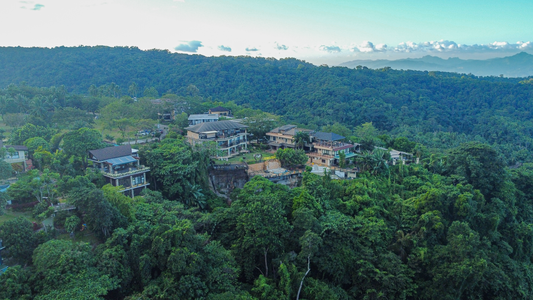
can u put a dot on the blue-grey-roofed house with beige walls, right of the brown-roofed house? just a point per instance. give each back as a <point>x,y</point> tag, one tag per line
<point>327,148</point>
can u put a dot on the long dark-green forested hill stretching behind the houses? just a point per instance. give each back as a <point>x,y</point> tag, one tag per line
<point>411,103</point>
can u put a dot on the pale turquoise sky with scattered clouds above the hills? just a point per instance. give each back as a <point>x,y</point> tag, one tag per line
<point>320,32</point>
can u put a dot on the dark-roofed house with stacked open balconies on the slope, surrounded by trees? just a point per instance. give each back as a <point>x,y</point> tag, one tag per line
<point>120,167</point>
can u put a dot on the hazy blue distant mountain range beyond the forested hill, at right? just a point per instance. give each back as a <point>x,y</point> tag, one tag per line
<point>519,65</point>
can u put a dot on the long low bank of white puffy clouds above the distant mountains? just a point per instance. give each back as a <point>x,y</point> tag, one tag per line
<point>443,46</point>
